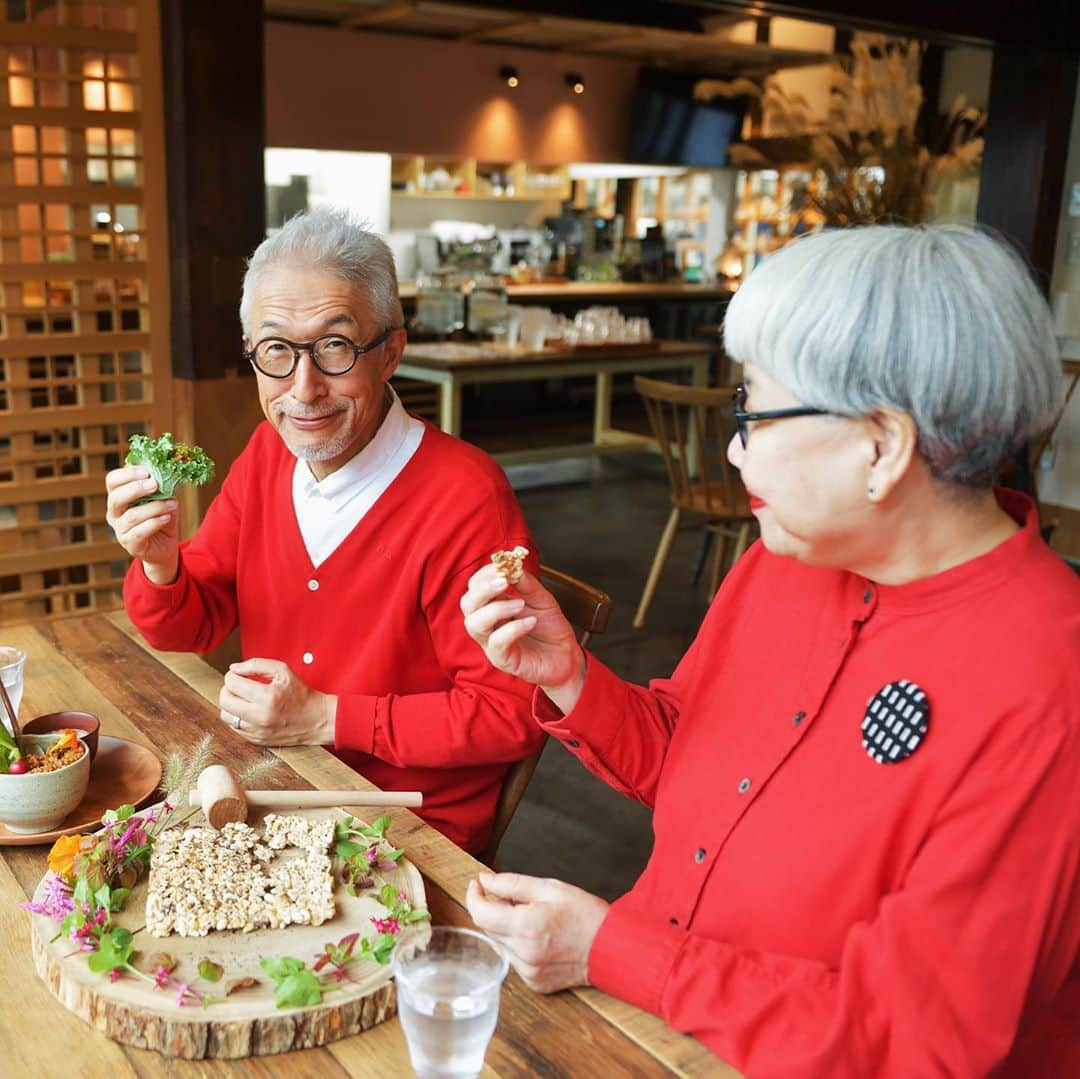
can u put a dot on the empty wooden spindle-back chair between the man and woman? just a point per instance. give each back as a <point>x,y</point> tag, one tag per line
<point>693,426</point>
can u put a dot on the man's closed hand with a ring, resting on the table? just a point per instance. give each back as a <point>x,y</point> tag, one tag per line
<point>275,707</point>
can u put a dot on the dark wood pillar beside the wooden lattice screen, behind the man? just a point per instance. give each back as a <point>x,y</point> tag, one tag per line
<point>214,142</point>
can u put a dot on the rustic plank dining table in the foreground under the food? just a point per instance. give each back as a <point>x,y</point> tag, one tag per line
<point>167,702</point>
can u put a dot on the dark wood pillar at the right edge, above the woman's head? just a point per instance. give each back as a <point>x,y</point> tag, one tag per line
<point>1028,138</point>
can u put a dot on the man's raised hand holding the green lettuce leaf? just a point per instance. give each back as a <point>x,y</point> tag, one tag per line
<point>150,532</point>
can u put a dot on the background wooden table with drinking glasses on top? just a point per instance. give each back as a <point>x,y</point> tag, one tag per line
<point>452,367</point>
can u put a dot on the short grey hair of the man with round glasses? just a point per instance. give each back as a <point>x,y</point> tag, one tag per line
<point>329,240</point>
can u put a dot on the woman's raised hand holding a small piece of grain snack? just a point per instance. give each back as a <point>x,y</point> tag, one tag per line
<point>526,635</point>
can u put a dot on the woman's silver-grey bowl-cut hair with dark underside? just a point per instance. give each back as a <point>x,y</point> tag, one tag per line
<point>943,322</point>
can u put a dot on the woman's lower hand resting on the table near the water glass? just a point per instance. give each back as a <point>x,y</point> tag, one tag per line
<point>547,927</point>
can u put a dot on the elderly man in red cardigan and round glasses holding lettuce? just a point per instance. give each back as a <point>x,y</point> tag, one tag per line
<point>340,544</point>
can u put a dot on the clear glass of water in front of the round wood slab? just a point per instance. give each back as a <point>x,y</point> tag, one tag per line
<point>449,1001</point>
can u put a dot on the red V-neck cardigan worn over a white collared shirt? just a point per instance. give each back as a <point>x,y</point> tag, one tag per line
<point>377,624</point>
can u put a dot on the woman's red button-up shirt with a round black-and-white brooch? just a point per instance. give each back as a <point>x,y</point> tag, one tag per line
<point>811,912</point>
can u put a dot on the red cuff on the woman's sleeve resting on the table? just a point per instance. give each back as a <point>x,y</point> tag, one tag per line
<point>654,947</point>
